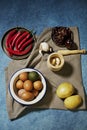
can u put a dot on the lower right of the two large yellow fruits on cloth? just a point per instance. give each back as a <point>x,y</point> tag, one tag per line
<point>73,102</point>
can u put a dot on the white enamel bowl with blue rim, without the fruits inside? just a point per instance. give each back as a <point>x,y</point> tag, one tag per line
<point>13,89</point>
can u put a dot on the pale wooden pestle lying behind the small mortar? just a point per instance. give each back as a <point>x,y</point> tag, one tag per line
<point>72,52</point>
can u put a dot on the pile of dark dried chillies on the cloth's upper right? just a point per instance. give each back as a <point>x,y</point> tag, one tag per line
<point>62,36</point>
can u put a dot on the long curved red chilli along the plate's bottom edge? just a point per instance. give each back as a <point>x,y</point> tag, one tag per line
<point>16,52</point>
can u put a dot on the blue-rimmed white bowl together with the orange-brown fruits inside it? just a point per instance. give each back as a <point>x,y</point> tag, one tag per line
<point>27,86</point>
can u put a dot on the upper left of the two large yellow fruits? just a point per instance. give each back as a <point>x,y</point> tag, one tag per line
<point>65,90</point>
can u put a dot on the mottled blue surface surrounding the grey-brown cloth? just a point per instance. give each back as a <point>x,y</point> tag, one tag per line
<point>37,15</point>
